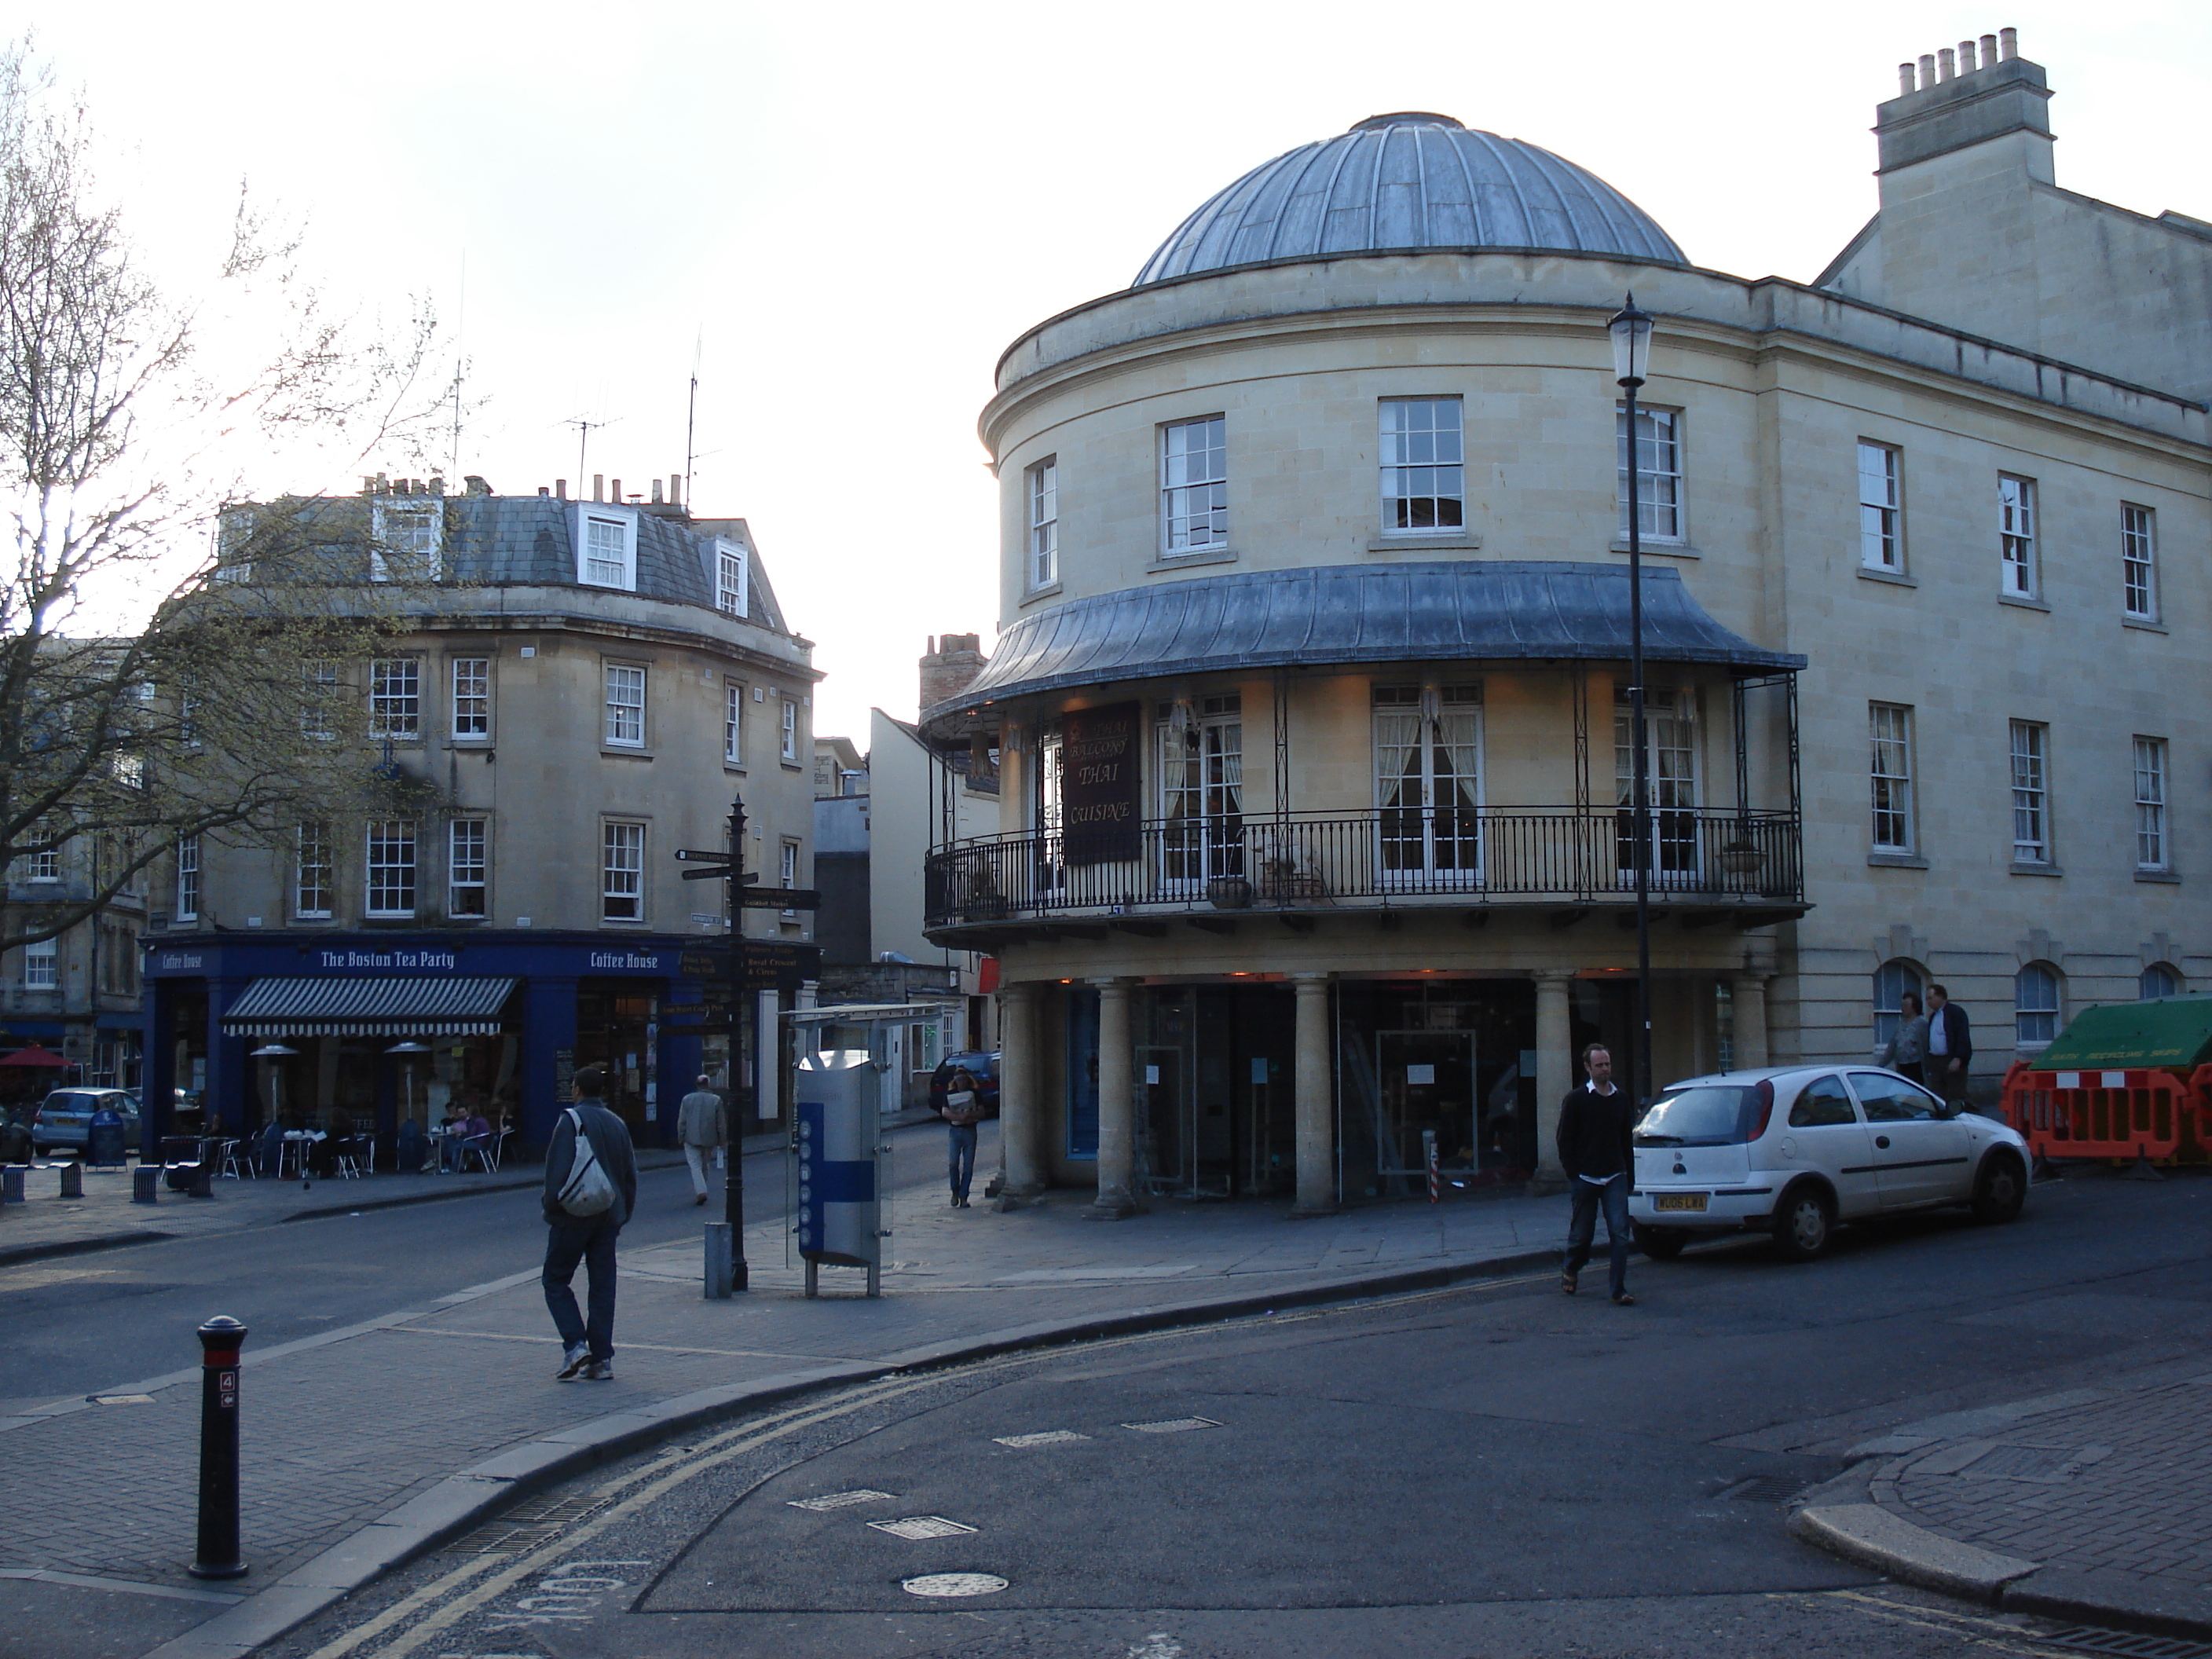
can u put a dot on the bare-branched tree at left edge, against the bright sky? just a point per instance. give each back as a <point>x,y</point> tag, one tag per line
<point>171,667</point>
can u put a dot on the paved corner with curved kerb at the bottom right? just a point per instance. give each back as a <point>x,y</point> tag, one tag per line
<point>2087,1505</point>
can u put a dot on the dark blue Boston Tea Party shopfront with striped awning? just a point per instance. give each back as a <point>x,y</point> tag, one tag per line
<point>357,1034</point>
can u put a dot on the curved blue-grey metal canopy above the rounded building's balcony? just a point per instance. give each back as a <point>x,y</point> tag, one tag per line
<point>1432,612</point>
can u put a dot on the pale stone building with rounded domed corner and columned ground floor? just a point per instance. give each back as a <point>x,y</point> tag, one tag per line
<point>1313,669</point>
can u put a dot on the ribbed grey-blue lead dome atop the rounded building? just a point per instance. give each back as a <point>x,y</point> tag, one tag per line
<point>1410,180</point>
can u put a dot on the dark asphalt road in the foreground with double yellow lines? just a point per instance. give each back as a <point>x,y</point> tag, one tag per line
<point>1481,1472</point>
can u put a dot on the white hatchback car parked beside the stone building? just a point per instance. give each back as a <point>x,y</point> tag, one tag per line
<point>1799,1149</point>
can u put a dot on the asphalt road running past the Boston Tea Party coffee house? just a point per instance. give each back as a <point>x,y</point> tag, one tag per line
<point>83,1335</point>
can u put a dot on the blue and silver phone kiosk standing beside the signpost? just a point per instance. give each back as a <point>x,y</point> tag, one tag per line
<point>837,1142</point>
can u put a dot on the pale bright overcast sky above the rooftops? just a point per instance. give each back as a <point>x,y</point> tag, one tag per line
<point>851,211</point>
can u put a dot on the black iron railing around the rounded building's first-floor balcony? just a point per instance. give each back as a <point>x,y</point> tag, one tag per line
<point>1317,859</point>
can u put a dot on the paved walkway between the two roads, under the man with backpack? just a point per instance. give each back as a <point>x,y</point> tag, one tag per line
<point>348,1426</point>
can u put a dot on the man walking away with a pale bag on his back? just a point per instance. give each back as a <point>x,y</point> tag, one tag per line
<point>592,1189</point>
